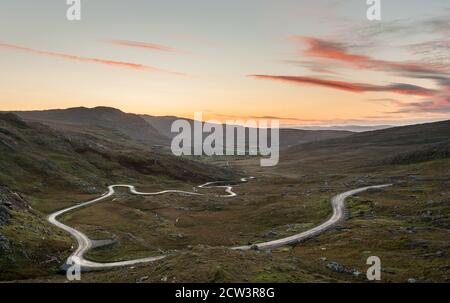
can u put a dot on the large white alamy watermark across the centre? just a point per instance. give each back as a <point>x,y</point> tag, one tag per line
<point>235,137</point>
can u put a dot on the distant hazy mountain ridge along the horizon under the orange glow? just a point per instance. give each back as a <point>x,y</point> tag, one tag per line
<point>146,129</point>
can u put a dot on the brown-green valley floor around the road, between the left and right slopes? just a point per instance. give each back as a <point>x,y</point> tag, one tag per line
<point>406,225</point>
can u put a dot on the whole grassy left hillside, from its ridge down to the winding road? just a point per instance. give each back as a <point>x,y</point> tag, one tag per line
<point>43,169</point>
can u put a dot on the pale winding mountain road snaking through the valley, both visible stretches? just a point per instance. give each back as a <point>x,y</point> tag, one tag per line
<point>85,244</point>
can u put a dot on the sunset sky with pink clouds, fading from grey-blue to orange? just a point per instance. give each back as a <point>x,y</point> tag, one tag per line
<point>303,62</point>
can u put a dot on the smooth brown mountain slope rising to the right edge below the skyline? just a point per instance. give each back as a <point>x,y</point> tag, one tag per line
<point>398,145</point>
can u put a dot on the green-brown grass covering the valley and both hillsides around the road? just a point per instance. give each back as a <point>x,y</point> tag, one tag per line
<point>406,225</point>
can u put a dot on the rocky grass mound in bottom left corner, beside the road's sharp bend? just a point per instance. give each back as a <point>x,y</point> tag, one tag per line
<point>29,246</point>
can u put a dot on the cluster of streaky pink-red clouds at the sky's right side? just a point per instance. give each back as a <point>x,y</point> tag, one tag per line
<point>323,56</point>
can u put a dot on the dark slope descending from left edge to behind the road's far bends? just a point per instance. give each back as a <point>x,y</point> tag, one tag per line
<point>36,157</point>
